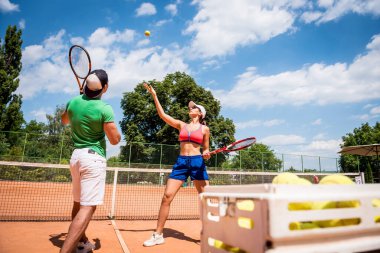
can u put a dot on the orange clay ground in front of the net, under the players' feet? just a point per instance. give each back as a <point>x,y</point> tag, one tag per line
<point>46,237</point>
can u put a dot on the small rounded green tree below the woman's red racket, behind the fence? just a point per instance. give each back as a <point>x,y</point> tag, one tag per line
<point>258,157</point>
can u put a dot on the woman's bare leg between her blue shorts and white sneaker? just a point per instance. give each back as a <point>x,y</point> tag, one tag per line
<point>172,187</point>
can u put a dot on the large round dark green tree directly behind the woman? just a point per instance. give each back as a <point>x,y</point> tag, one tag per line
<point>141,122</point>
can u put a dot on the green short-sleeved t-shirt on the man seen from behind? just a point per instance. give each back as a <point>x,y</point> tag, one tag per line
<point>86,118</point>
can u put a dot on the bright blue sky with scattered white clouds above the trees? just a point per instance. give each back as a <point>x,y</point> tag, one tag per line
<point>296,74</point>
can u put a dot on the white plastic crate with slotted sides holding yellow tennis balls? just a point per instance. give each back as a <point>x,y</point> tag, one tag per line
<point>270,219</point>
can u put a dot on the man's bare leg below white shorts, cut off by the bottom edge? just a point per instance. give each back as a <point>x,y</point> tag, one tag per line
<point>77,228</point>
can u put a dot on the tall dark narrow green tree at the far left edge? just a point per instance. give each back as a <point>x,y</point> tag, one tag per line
<point>10,67</point>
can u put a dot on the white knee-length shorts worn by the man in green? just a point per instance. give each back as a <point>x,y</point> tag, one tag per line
<point>88,173</point>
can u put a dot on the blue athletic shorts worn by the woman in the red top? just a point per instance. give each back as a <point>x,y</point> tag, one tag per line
<point>193,166</point>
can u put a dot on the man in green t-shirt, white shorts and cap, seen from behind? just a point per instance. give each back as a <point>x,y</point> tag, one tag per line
<point>91,120</point>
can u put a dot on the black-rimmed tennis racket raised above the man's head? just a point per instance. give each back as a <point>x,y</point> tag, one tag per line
<point>80,63</point>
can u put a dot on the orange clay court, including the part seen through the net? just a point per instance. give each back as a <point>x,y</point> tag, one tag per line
<point>135,209</point>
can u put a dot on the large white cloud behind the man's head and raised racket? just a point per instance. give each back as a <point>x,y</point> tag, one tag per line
<point>45,66</point>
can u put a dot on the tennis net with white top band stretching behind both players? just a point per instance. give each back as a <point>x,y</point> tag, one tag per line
<point>42,192</point>
